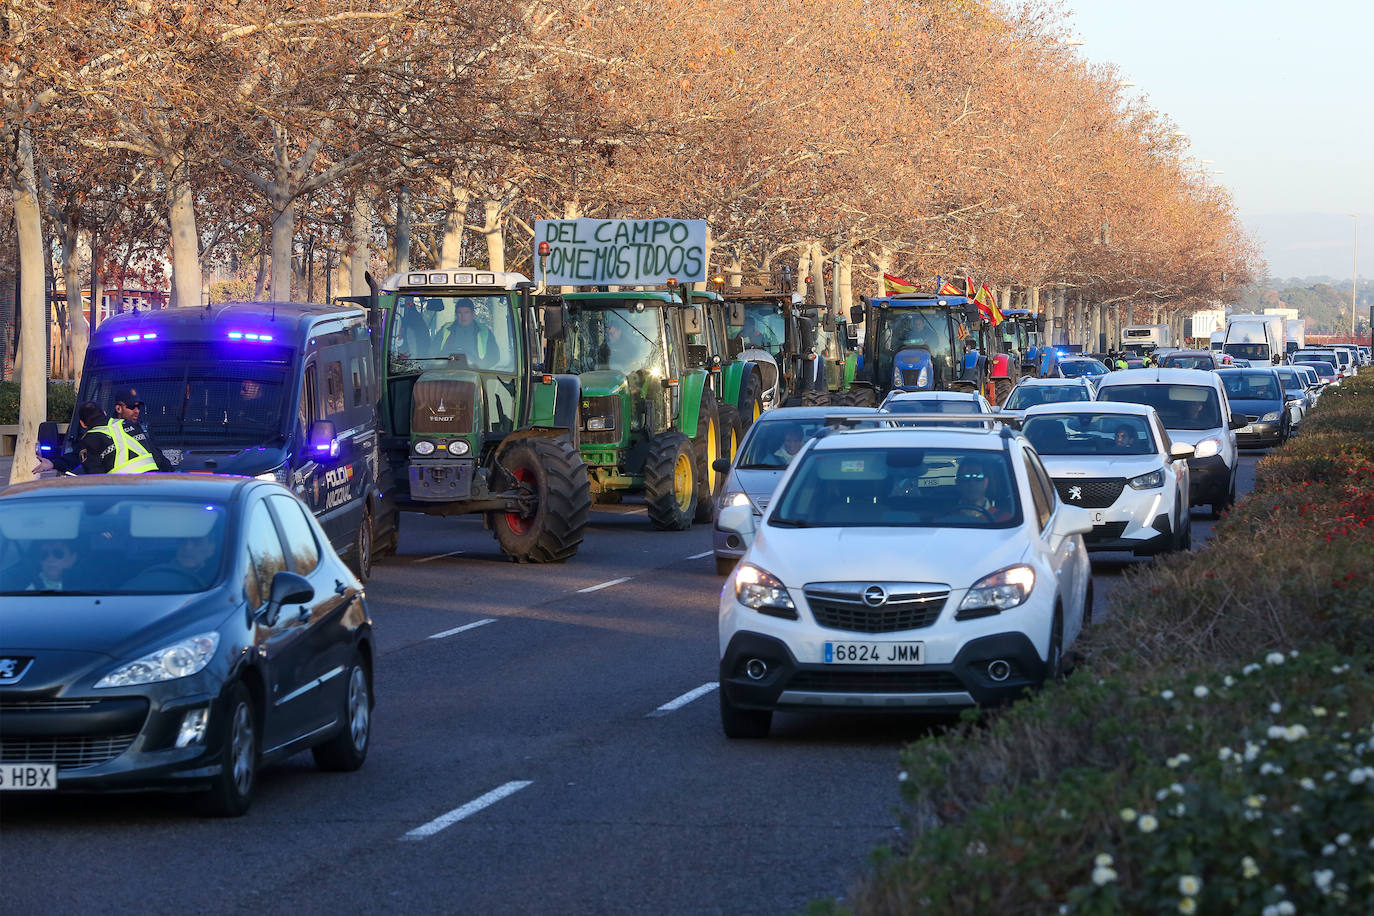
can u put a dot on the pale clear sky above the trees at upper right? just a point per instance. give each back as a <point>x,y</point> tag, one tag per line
<point>1277,94</point>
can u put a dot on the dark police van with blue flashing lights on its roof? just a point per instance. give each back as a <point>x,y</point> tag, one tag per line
<point>275,391</point>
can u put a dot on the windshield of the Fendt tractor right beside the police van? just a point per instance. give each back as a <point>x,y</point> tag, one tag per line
<point>476,330</point>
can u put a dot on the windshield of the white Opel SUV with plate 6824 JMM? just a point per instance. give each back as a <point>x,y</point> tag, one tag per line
<point>901,488</point>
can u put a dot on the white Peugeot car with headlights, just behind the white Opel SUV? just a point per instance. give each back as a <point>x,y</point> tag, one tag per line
<point>1118,462</point>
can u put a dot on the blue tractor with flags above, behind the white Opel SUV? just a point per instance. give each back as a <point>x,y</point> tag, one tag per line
<point>917,343</point>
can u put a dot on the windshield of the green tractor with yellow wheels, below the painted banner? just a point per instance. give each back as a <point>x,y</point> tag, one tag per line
<point>624,340</point>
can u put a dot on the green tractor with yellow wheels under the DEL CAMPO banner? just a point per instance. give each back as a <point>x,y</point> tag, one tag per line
<point>651,421</point>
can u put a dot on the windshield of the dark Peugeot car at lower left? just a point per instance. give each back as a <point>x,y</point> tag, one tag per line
<point>111,546</point>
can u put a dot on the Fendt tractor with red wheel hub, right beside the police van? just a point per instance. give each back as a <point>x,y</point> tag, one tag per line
<point>472,420</point>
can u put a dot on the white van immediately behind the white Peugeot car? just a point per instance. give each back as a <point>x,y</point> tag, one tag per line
<point>1195,410</point>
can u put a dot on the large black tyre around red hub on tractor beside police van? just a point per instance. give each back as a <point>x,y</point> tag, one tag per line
<point>553,472</point>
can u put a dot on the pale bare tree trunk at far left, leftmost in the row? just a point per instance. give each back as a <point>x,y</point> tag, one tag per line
<point>34,377</point>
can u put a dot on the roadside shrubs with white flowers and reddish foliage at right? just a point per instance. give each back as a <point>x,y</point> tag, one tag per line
<point>1214,751</point>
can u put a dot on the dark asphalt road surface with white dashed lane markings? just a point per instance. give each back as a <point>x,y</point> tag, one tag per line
<point>546,741</point>
